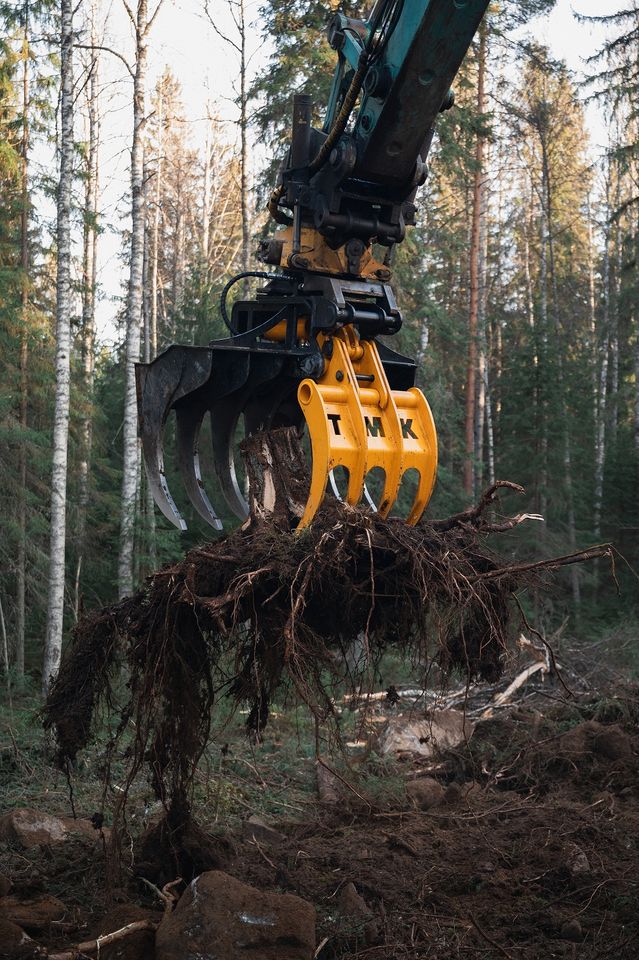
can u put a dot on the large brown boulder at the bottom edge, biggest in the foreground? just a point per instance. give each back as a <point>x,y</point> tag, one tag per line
<point>220,916</point>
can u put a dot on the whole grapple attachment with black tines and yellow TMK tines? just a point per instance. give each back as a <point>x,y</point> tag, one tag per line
<point>302,363</point>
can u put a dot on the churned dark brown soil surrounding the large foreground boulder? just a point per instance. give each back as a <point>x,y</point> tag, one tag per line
<point>531,851</point>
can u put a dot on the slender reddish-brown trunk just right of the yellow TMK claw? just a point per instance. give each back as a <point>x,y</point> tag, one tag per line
<point>471,374</point>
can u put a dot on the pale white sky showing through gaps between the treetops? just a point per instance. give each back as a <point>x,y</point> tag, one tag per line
<point>206,67</point>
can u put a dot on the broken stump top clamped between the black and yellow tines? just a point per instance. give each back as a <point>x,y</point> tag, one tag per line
<point>278,477</point>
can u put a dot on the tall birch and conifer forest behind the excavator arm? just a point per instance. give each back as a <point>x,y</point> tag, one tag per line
<point>519,289</point>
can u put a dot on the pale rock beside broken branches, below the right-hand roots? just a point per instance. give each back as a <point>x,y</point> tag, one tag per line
<point>439,730</point>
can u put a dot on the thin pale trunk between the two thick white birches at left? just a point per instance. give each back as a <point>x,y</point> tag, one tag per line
<point>89,278</point>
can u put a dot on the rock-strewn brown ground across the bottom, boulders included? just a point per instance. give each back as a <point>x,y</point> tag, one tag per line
<point>520,841</point>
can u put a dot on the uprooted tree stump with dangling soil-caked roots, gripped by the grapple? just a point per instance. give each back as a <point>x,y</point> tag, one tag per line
<point>266,606</point>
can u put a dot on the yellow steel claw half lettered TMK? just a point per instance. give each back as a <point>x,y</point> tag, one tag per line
<point>357,422</point>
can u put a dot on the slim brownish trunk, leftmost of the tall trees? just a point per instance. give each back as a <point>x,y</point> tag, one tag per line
<point>21,558</point>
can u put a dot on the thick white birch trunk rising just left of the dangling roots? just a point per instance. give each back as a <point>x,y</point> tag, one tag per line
<point>55,609</point>
